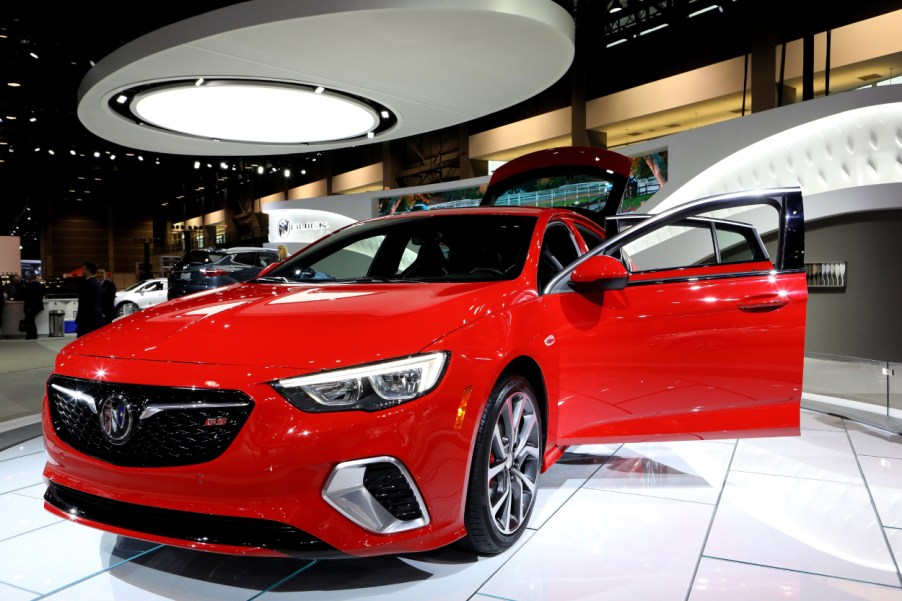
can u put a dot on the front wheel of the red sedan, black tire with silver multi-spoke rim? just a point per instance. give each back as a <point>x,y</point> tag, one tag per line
<point>504,476</point>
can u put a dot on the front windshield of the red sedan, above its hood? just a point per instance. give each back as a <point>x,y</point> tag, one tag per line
<point>442,248</point>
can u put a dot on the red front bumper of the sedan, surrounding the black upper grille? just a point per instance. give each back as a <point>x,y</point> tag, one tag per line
<point>276,470</point>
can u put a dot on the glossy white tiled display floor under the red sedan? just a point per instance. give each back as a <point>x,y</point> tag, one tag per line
<point>812,517</point>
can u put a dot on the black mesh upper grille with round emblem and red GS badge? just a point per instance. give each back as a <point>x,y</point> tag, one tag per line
<point>147,426</point>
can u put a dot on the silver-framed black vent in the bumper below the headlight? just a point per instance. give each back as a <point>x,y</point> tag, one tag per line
<point>377,494</point>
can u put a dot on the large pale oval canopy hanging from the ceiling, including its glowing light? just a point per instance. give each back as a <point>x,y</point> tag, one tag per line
<point>368,57</point>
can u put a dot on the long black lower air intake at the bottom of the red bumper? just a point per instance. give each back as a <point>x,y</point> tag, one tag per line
<point>188,526</point>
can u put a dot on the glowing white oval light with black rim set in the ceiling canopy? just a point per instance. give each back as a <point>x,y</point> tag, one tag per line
<point>256,112</point>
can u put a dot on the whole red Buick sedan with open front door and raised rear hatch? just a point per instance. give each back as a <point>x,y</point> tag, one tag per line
<point>402,383</point>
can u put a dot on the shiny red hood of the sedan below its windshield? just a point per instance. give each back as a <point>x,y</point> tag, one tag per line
<point>306,327</point>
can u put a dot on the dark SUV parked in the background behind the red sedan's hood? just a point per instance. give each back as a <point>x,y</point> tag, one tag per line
<point>203,269</point>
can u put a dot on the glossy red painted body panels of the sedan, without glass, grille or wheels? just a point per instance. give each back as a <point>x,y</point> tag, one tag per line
<point>699,352</point>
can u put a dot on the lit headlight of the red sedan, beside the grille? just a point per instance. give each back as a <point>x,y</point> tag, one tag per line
<point>367,387</point>
